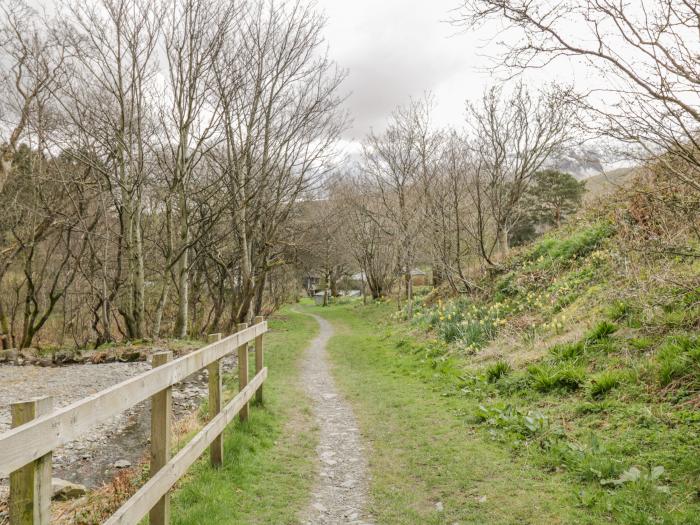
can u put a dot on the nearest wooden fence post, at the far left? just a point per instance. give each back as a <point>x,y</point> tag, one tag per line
<point>30,486</point>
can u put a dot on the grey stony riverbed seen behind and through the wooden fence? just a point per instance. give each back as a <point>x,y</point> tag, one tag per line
<point>120,442</point>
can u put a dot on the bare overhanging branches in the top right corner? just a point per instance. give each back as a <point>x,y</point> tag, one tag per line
<point>648,54</point>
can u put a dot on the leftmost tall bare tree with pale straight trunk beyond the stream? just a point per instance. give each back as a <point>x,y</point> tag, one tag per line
<point>110,112</point>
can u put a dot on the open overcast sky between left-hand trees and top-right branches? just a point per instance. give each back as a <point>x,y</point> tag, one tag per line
<point>396,49</point>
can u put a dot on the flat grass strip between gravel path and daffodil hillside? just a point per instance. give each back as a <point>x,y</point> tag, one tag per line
<point>428,463</point>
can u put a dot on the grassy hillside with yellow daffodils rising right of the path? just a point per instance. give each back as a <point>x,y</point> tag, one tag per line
<point>584,357</point>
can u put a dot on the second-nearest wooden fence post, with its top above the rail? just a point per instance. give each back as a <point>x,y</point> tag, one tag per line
<point>161,437</point>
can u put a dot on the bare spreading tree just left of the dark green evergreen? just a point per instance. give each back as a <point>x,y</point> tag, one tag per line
<point>511,138</point>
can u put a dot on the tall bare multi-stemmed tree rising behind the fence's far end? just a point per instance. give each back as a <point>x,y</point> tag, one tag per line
<point>279,96</point>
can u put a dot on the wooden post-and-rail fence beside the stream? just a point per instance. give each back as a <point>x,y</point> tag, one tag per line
<point>25,451</point>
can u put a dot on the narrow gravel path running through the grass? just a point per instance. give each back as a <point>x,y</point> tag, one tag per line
<point>341,492</point>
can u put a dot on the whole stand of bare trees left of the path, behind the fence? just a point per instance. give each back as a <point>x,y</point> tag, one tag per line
<point>153,158</point>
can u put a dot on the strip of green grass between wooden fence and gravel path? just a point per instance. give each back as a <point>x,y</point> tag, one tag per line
<point>269,464</point>
